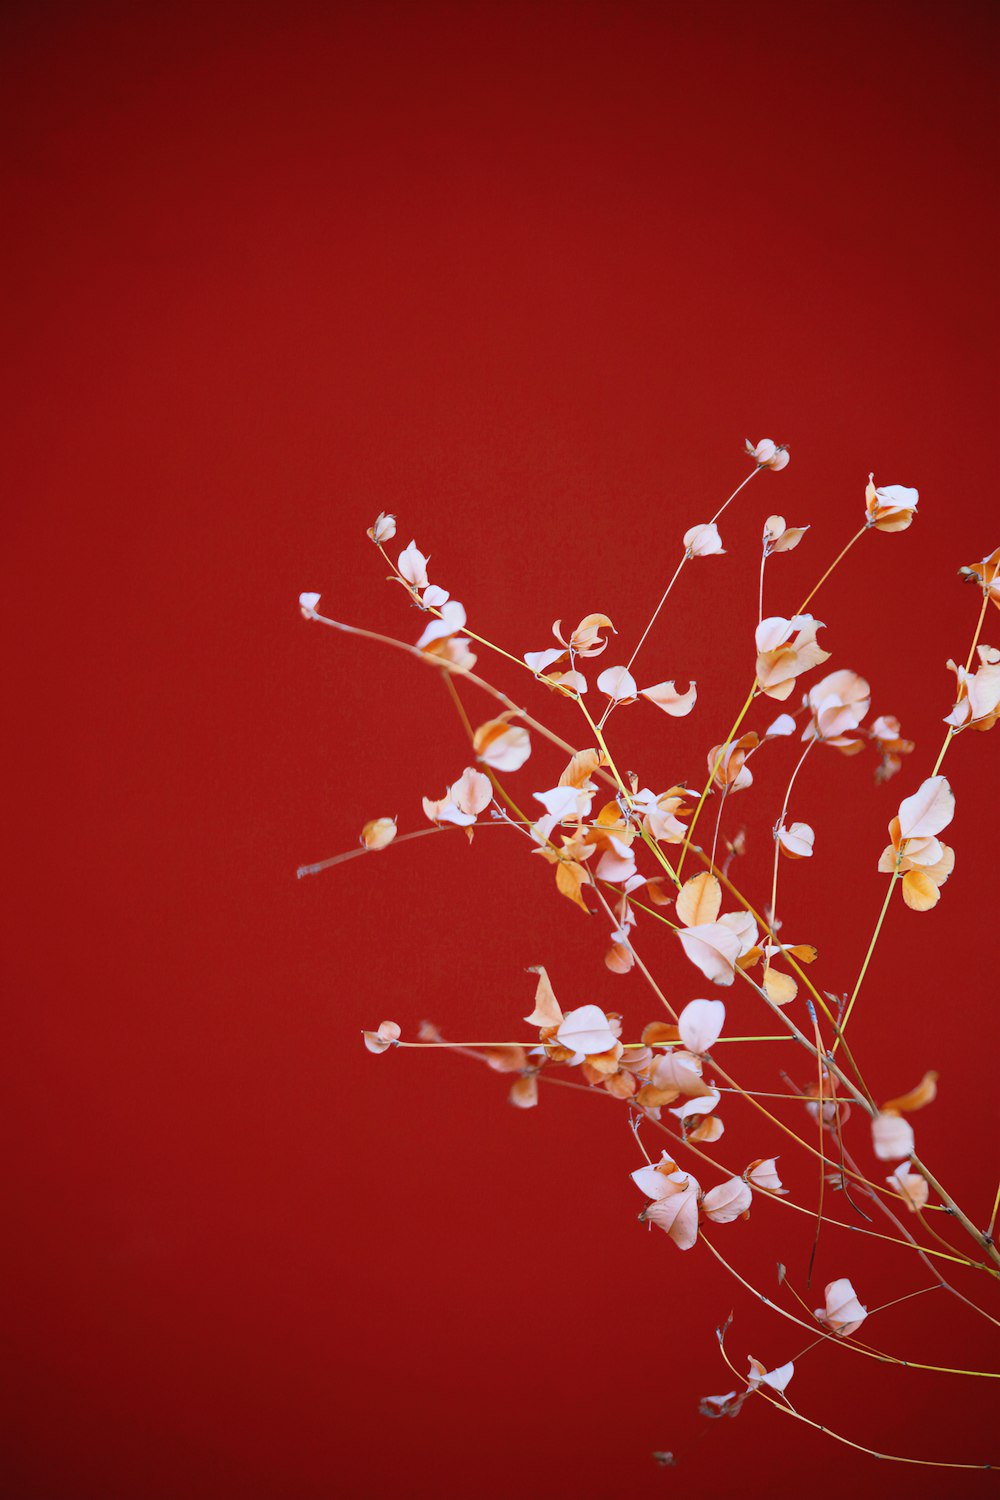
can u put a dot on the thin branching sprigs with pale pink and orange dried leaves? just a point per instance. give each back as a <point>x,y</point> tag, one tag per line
<point>597,856</point>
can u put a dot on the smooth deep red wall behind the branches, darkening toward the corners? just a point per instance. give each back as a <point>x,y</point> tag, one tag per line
<point>525,275</point>
